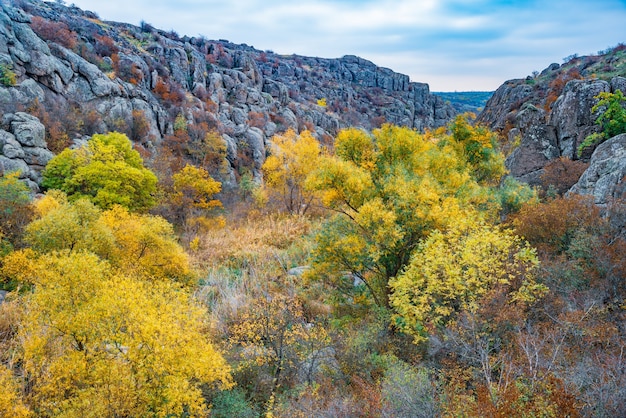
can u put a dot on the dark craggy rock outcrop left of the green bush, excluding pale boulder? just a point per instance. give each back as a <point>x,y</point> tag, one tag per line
<point>549,115</point>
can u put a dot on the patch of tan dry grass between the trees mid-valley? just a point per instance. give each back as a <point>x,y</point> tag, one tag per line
<point>247,259</point>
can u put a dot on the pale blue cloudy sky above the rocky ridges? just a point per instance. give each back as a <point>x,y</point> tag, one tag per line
<point>453,45</point>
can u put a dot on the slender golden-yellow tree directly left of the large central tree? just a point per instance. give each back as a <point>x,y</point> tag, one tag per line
<point>292,158</point>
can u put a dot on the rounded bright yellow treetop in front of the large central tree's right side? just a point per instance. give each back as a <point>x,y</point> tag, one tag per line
<point>452,270</point>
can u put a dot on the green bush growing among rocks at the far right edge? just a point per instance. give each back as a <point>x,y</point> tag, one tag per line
<point>611,118</point>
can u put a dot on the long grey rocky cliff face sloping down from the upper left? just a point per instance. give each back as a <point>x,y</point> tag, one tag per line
<point>79,75</point>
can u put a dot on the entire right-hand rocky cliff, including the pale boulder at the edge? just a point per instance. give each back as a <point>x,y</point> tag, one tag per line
<point>549,114</point>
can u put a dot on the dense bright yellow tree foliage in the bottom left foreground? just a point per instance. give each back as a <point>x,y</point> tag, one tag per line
<point>96,342</point>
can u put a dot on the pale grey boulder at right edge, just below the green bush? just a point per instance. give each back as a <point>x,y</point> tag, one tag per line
<point>605,178</point>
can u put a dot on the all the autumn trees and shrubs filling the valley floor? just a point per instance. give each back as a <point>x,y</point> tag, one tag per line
<point>391,273</point>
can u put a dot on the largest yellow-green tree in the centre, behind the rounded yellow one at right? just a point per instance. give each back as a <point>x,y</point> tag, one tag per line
<point>390,190</point>
